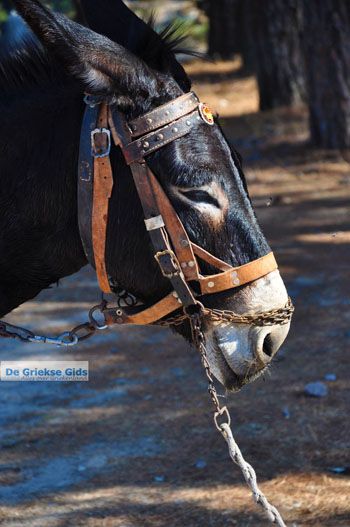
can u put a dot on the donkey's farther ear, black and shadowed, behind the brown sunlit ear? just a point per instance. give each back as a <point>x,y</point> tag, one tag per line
<point>116,21</point>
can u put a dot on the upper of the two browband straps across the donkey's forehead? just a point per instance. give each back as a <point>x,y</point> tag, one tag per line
<point>165,114</point>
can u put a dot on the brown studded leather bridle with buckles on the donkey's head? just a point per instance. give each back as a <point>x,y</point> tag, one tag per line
<point>176,255</point>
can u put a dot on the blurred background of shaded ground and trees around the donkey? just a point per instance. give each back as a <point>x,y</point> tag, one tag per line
<point>135,447</point>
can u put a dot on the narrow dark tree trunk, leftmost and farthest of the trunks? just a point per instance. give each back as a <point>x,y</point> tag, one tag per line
<point>223,40</point>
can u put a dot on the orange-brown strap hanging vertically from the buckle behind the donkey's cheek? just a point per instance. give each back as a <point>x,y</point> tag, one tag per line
<point>103,185</point>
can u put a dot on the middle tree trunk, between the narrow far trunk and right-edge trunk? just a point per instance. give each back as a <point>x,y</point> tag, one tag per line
<point>276,27</point>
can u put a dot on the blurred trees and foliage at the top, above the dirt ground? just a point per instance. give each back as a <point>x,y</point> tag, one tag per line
<point>298,50</point>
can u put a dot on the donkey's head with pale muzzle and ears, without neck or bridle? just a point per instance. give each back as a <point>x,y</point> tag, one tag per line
<point>201,175</point>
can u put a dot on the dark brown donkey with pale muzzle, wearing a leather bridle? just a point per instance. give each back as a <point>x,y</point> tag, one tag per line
<point>42,87</point>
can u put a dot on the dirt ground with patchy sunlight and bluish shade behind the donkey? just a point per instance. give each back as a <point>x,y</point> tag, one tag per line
<point>136,446</point>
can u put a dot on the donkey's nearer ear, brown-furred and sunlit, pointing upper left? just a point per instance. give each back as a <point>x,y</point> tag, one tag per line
<point>102,66</point>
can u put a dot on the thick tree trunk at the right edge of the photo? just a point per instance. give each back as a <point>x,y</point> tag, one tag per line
<point>327,52</point>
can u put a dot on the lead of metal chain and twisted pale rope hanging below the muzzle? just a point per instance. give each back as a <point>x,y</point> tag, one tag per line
<point>222,420</point>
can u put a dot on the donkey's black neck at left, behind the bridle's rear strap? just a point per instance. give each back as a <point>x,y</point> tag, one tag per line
<point>39,235</point>
